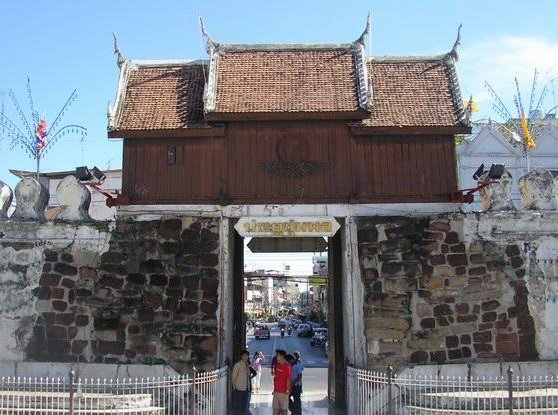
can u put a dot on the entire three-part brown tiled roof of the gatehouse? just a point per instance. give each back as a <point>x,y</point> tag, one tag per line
<point>280,81</point>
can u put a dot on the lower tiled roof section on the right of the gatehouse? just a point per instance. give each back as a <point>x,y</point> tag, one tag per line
<point>413,92</point>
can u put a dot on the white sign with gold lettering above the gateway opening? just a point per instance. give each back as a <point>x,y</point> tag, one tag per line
<point>285,227</point>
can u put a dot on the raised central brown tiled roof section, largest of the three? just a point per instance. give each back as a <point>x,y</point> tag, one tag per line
<point>287,80</point>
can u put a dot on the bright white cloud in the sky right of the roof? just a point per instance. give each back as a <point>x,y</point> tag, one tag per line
<point>498,61</point>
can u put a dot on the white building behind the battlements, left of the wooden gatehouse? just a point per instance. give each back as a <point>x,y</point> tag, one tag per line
<point>98,209</point>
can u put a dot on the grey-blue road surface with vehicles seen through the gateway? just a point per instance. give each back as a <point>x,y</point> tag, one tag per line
<point>311,356</point>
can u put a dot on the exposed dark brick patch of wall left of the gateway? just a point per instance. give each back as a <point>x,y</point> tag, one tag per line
<point>152,297</point>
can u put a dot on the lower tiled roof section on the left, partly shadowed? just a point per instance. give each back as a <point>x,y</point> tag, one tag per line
<point>162,97</point>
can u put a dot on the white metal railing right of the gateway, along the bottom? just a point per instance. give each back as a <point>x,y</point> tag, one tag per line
<point>370,392</point>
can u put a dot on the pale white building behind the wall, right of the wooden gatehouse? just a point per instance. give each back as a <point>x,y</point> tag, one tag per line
<point>490,146</point>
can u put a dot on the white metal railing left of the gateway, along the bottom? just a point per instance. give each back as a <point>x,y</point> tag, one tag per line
<point>204,393</point>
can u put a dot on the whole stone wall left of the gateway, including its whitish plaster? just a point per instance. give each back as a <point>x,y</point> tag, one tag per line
<point>138,292</point>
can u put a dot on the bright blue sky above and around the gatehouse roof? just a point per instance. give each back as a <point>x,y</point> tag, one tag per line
<point>63,45</point>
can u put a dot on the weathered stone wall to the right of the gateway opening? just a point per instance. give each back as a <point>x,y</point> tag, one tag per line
<point>435,293</point>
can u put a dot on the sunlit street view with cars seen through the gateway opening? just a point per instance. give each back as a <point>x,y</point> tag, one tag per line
<point>286,306</point>
